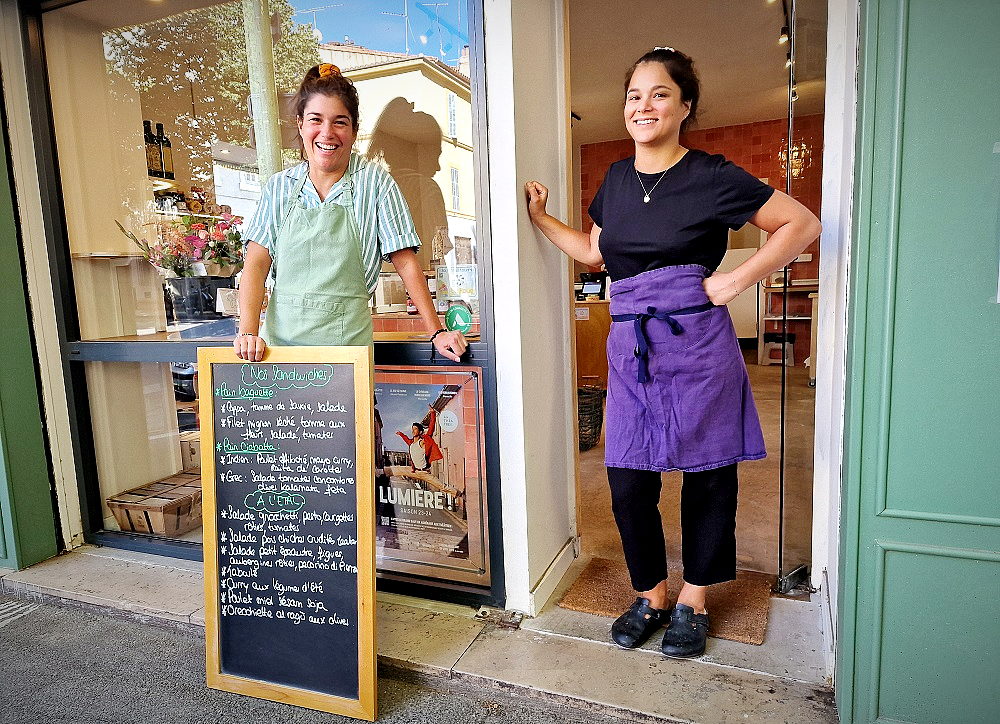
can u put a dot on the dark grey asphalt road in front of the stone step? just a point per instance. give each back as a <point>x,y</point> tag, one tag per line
<point>60,664</point>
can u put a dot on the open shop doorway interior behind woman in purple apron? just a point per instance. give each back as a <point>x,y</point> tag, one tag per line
<point>762,69</point>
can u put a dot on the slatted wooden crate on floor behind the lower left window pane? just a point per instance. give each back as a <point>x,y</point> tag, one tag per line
<point>171,506</point>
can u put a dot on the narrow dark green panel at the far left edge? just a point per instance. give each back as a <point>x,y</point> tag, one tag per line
<point>28,527</point>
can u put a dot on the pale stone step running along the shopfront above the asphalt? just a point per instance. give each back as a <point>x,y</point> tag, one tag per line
<point>561,656</point>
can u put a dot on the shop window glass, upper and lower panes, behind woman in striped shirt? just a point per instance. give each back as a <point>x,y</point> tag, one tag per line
<point>156,150</point>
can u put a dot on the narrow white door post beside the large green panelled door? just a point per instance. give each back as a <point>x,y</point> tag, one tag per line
<point>835,243</point>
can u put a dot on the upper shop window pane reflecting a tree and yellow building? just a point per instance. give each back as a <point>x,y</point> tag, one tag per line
<point>177,90</point>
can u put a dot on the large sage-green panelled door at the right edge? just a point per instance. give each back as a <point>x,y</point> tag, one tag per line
<point>920,567</point>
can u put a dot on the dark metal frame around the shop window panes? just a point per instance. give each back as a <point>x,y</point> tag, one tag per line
<point>77,351</point>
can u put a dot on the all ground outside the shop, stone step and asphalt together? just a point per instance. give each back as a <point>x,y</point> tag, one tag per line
<point>102,635</point>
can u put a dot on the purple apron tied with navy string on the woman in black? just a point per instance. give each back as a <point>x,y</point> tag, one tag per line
<point>678,393</point>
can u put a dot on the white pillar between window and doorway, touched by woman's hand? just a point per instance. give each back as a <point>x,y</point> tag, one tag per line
<point>526,70</point>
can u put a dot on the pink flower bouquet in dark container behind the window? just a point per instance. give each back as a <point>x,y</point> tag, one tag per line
<point>196,257</point>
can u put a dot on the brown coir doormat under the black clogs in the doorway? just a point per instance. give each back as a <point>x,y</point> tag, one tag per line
<point>737,609</point>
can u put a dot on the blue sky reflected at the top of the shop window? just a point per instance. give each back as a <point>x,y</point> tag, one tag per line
<point>432,27</point>
